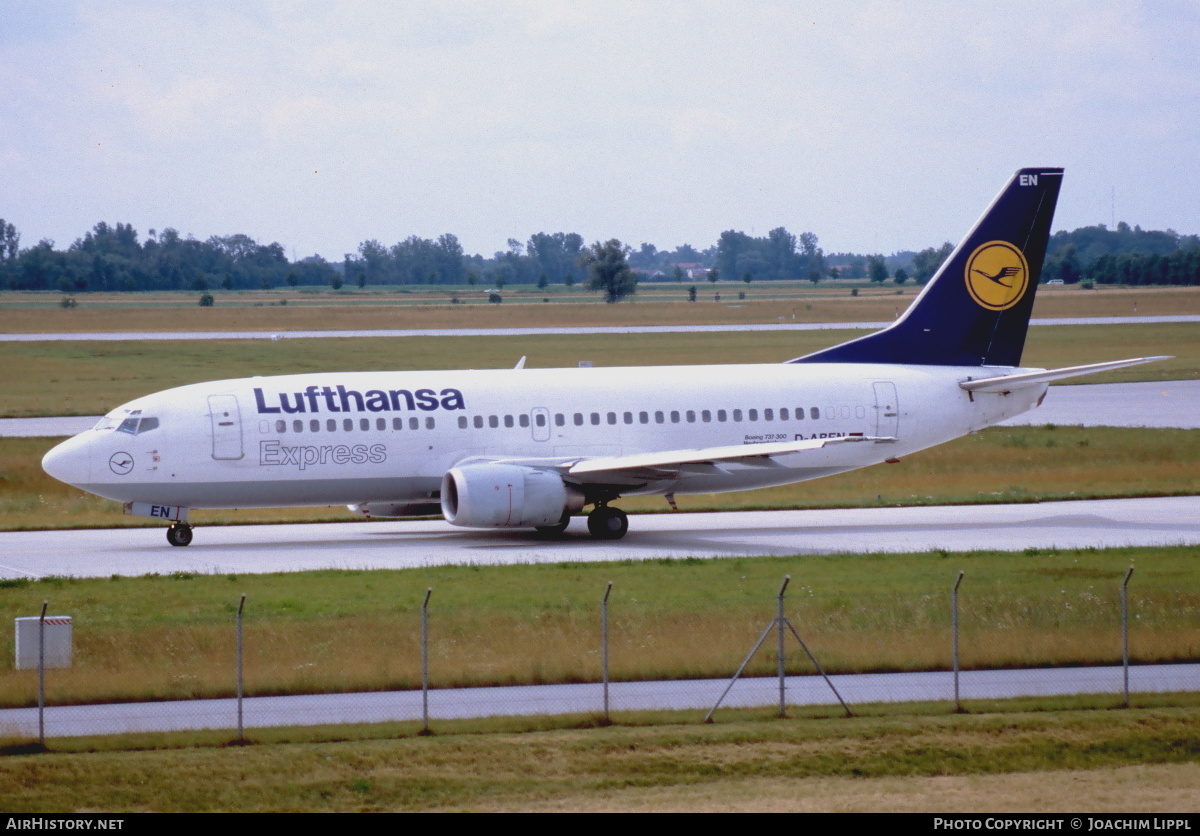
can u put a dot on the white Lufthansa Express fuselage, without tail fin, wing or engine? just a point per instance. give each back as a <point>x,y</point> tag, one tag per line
<point>389,437</point>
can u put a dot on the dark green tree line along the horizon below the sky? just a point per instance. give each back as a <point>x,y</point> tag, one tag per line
<point>113,258</point>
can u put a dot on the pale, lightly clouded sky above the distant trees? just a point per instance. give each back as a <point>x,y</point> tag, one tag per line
<point>879,127</point>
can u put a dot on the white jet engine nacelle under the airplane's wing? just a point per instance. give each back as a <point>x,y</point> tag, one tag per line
<point>506,496</point>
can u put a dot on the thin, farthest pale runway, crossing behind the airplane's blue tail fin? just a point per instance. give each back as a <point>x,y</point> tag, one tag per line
<point>538,332</point>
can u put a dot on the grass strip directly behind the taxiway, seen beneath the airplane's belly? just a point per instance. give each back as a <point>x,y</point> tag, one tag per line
<point>1000,465</point>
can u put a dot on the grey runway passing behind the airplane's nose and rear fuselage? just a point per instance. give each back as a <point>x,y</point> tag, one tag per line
<point>1169,404</point>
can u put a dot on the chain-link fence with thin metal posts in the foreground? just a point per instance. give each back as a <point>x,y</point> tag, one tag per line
<point>610,655</point>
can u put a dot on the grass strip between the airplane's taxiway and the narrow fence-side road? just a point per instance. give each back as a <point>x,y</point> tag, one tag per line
<point>172,637</point>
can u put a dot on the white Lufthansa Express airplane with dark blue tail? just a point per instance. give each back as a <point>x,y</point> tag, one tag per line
<point>530,449</point>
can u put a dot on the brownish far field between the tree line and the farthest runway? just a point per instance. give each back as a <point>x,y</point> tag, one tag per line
<point>524,308</point>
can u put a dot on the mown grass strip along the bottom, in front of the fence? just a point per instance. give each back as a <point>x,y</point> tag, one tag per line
<point>1004,761</point>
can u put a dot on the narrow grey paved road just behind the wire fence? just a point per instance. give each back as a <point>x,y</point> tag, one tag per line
<point>542,700</point>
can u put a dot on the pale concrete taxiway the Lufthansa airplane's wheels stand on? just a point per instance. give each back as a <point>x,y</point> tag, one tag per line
<point>403,545</point>
